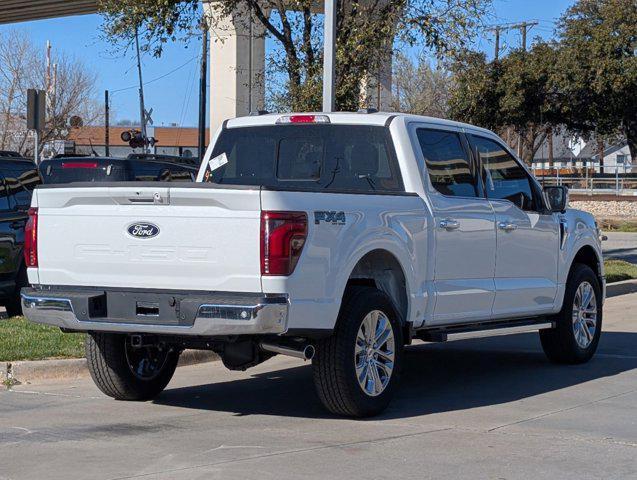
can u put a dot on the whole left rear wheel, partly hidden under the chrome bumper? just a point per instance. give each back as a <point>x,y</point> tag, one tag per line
<point>125,372</point>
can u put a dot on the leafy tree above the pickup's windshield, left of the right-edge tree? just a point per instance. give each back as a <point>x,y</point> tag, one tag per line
<point>514,92</point>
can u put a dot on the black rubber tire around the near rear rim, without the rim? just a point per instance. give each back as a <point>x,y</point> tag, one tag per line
<point>334,366</point>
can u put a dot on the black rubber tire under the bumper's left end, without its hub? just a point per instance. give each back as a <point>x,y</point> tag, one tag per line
<point>109,367</point>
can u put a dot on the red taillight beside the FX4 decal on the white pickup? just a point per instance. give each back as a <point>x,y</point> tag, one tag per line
<point>283,235</point>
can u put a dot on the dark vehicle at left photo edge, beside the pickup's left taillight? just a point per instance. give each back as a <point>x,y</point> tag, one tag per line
<point>18,178</point>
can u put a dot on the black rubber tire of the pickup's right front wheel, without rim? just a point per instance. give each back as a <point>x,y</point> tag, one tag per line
<point>560,343</point>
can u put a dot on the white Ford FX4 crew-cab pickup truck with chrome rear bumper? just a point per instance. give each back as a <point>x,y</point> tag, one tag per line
<point>332,237</point>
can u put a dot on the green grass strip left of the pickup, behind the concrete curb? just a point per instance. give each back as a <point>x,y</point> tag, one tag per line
<point>22,340</point>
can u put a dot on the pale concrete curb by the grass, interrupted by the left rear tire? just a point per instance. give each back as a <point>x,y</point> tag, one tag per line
<point>28,371</point>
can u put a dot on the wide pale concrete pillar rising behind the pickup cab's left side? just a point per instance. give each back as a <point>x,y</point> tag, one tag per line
<point>231,92</point>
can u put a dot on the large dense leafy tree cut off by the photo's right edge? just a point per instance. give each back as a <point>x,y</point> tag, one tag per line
<point>597,78</point>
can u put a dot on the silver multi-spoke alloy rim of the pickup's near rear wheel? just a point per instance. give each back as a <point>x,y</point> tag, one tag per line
<point>374,353</point>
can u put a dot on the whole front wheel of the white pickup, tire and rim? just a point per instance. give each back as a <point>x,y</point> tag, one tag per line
<point>579,323</point>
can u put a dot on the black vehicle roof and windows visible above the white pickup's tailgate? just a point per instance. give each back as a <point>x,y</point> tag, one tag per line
<point>106,169</point>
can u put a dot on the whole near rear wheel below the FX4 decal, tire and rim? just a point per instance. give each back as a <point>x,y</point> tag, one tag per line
<point>356,369</point>
